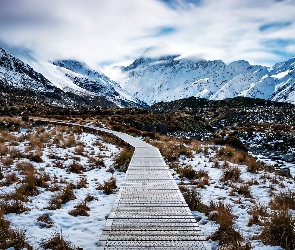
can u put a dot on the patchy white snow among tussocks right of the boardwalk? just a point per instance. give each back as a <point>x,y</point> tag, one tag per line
<point>220,191</point>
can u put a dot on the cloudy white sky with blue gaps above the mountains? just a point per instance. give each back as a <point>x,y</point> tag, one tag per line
<point>105,33</point>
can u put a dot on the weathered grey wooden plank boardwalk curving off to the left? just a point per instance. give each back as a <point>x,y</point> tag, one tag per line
<point>149,211</point>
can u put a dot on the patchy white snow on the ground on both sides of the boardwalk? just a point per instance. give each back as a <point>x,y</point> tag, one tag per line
<point>84,231</point>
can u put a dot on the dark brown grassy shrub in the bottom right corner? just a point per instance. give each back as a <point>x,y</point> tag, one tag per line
<point>280,230</point>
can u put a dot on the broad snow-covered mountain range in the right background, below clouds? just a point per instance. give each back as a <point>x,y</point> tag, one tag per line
<point>171,77</point>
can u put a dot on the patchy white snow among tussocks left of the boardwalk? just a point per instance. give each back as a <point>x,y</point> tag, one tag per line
<point>81,231</point>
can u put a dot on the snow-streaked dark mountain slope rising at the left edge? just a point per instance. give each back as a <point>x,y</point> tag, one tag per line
<point>68,82</point>
